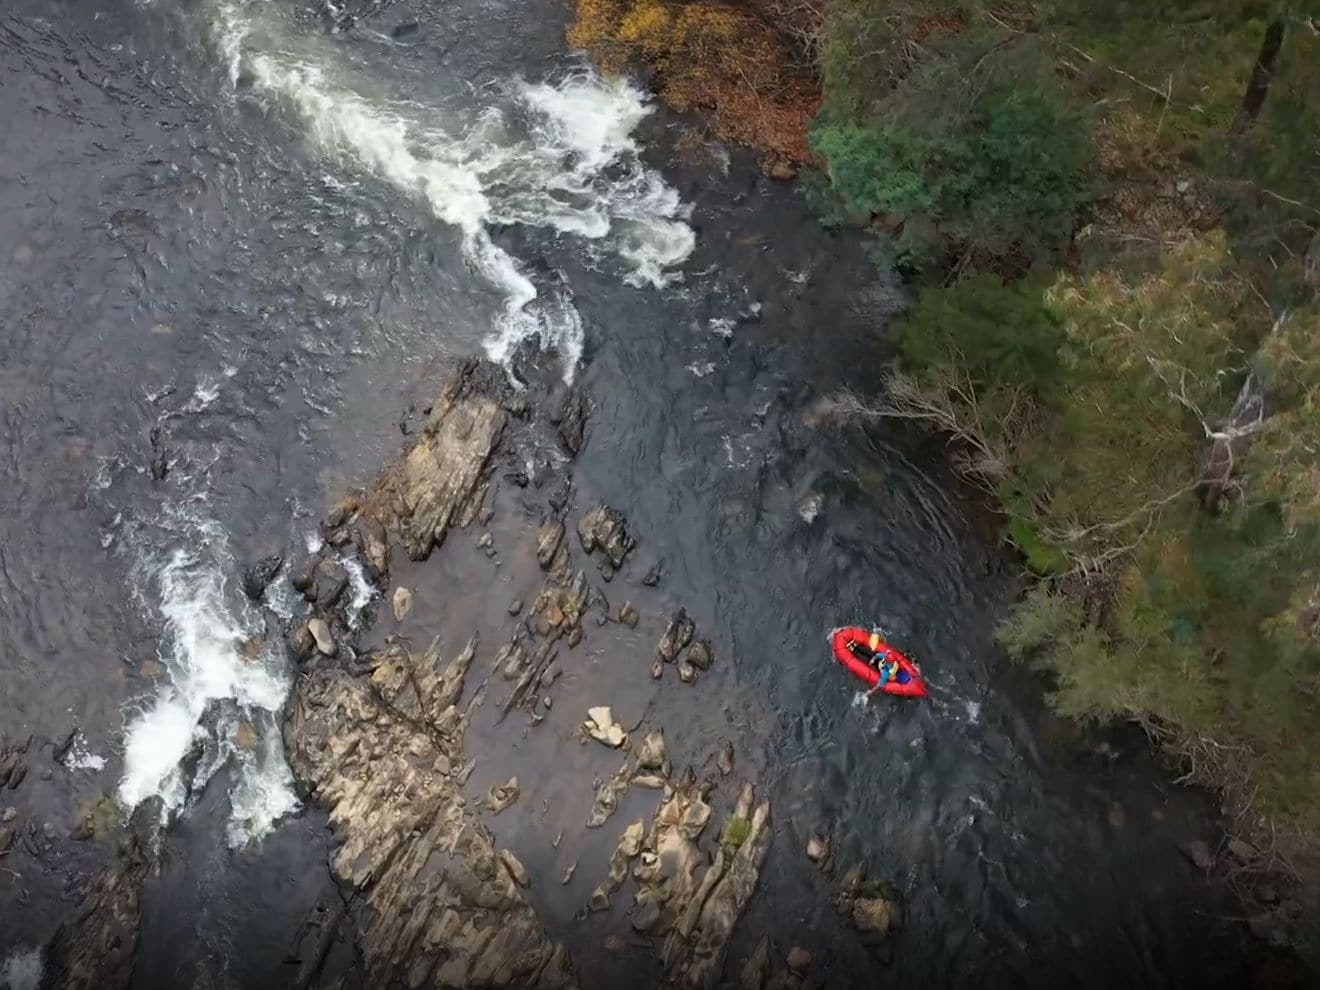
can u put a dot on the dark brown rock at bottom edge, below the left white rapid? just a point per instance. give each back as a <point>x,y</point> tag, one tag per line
<point>94,948</point>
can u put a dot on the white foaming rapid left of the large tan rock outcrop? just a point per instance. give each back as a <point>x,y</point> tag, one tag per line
<point>205,625</point>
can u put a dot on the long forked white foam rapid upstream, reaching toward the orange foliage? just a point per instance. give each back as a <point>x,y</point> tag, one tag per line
<point>554,156</point>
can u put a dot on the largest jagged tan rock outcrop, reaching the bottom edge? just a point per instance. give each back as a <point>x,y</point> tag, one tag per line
<point>382,754</point>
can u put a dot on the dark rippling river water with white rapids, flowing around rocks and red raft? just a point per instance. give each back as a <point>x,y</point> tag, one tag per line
<point>238,240</point>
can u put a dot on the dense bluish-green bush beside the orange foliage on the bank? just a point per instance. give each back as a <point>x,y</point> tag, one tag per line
<point>1003,183</point>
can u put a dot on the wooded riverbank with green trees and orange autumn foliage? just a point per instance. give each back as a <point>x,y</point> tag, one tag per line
<point>1107,226</point>
